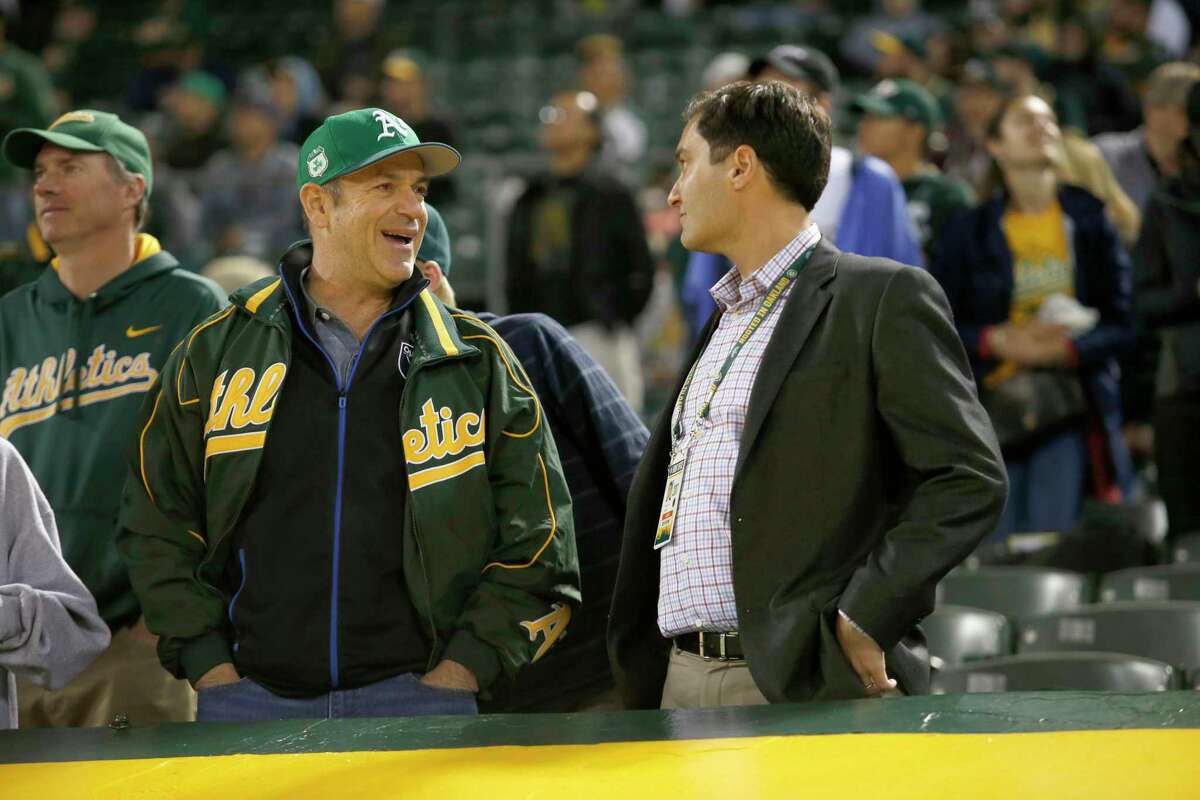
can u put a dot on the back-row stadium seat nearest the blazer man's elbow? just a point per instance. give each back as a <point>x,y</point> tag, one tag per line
<point>1015,592</point>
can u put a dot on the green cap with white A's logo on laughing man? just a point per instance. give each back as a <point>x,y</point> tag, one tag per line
<point>346,143</point>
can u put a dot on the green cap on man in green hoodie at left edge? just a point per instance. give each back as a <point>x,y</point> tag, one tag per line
<point>88,131</point>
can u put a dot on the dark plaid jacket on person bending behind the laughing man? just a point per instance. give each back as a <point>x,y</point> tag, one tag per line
<point>601,442</point>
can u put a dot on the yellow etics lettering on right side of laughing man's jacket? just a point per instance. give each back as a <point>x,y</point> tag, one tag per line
<point>443,435</point>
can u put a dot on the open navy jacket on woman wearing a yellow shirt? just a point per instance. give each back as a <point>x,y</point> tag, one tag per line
<point>975,267</point>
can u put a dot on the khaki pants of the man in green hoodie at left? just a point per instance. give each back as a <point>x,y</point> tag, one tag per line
<point>125,679</point>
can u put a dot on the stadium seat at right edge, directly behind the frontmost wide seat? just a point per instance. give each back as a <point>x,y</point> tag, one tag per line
<point>1167,631</point>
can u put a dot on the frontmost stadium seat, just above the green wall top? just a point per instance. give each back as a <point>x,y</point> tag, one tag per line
<point>1090,672</point>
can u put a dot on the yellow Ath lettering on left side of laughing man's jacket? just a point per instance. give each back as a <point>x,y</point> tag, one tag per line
<point>244,400</point>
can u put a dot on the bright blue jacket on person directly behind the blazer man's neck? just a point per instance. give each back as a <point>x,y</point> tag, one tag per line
<point>875,222</point>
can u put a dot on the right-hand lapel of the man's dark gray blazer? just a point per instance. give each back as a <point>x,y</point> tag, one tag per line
<point>800,315</point>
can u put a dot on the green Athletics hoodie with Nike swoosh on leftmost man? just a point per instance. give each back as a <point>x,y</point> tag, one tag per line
<point>75,432</point>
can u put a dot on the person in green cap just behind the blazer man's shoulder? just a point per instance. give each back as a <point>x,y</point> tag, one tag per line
<point>898,119</point>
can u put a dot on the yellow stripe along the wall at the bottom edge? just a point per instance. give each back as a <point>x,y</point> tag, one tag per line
<point>1094,765</point>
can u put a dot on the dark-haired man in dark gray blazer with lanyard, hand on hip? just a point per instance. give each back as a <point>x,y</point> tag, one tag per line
<point>826,461</point>
